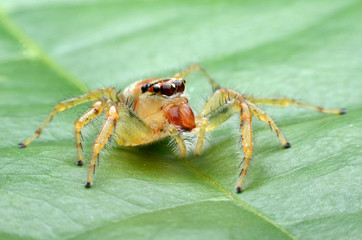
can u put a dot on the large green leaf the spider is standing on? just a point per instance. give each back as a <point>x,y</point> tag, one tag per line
<point>307,50</point>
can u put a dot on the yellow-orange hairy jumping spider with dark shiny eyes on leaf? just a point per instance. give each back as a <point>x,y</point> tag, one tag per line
<point>156,108</point>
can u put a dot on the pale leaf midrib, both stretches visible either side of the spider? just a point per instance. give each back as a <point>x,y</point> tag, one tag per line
<point>16,32</point>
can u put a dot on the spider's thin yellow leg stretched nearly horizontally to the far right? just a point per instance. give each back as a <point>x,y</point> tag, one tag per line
<point>283,102</point>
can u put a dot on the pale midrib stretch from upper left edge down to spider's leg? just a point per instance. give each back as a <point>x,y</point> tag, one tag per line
<point>38,53</point>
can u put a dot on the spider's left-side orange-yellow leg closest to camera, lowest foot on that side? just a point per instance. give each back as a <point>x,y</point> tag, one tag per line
<point>101,140</point>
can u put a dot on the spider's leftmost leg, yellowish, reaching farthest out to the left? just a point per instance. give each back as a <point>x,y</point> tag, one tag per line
<point>64,105</point>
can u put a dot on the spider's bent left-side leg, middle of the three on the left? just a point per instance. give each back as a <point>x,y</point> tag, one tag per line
<point>96,109</point>
